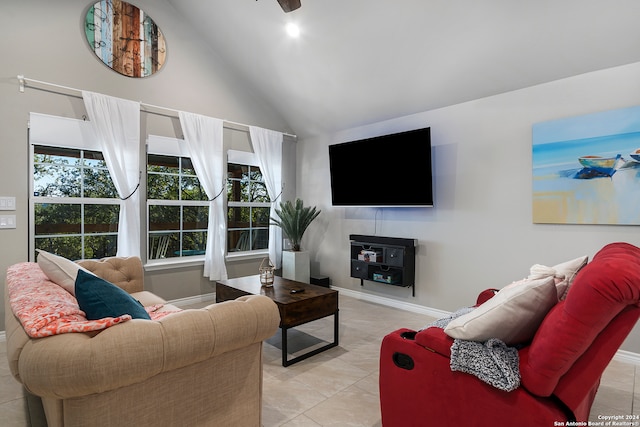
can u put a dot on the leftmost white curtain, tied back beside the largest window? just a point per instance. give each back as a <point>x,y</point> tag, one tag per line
<point>116,123</point>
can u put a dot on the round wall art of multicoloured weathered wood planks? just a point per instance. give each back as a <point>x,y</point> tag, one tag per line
<point>125,38</point>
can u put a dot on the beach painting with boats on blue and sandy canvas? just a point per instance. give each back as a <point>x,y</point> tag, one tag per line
<point>586,169</point>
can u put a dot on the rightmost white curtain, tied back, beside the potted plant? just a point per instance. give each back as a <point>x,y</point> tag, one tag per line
<point>267,145</point>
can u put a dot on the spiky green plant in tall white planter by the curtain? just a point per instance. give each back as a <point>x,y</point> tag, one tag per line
<point>294,219</point>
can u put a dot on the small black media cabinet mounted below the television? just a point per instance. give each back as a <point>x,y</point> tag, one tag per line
<point>388,260</point>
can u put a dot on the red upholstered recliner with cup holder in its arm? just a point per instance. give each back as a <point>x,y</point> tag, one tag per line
<point>560,368</point>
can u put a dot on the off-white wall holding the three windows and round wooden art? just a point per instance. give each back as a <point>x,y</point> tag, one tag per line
<point>44,40</point>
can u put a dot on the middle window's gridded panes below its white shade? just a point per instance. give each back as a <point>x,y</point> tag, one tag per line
<point>178,208</point>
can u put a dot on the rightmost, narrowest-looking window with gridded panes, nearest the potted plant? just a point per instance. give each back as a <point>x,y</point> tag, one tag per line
<point>248,208</point>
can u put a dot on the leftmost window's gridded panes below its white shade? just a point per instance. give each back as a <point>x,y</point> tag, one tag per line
<point>75,204</point>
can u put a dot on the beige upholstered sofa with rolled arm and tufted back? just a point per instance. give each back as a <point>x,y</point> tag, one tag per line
<point>200,367</point>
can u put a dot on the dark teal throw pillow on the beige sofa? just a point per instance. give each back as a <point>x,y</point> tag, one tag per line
<point>99,299</point>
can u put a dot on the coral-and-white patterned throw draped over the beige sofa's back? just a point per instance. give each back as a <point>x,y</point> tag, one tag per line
<point>46,309</point>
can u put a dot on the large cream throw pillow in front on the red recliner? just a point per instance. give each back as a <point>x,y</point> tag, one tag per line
<point>512,315</point>
